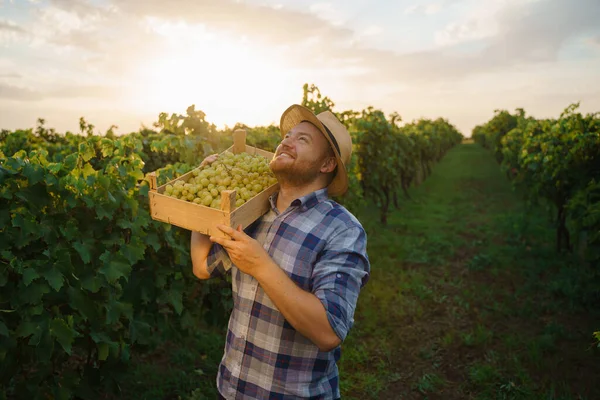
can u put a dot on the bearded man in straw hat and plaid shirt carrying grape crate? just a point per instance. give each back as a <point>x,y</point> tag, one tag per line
<point>297,271</point>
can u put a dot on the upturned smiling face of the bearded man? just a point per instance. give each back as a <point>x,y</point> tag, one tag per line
<point>301,155</point>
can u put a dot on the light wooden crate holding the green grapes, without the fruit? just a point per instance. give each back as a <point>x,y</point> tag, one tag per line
<point>196,217</point>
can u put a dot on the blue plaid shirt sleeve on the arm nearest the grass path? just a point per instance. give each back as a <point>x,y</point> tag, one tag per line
<point>342,270</point>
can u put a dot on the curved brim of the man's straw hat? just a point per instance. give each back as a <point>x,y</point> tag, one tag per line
<point>296,114</point>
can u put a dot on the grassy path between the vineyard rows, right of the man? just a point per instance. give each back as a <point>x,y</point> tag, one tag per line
<point>468,299</point>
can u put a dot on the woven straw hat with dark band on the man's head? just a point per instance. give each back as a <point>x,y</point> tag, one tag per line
<point>334,131</point>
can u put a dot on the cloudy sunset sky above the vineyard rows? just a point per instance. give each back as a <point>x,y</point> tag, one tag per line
<point>122,62</point>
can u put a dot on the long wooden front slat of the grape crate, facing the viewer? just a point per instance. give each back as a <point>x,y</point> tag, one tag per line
<point>187,215</point>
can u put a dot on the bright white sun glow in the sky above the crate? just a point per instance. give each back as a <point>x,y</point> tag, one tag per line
<point>227,77</point>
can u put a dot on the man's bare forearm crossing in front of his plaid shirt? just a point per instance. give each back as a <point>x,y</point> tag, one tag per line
<point>302,309</point>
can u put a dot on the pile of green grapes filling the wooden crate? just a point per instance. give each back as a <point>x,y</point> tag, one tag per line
<point>247,174</point>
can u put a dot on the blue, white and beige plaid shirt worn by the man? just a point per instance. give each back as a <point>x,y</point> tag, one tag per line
<point>322,248</point>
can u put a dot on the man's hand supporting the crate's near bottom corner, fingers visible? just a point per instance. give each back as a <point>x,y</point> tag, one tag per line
<point>246,253</point>
